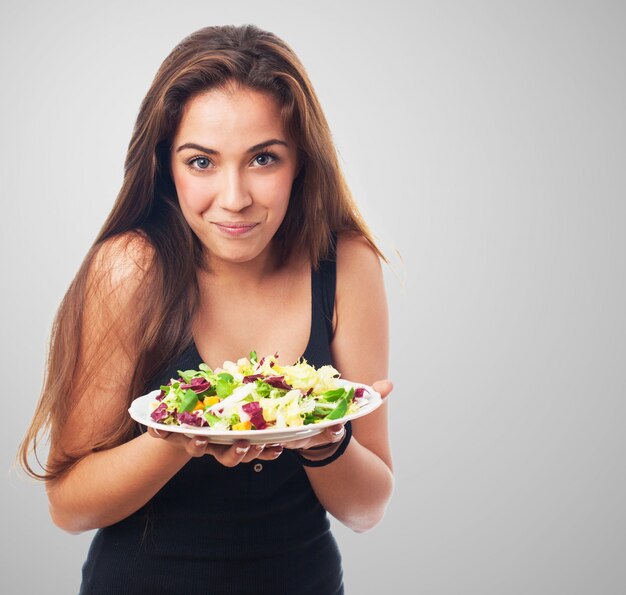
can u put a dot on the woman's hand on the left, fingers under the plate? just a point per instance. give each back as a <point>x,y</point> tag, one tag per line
<point>240,451</point>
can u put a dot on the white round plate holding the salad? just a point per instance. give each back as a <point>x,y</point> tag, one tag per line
<point>141,408</point>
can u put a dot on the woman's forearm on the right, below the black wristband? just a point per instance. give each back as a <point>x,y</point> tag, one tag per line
<point>355,488</point>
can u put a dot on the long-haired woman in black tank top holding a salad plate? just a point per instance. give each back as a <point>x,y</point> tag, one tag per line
<point>233,231</point>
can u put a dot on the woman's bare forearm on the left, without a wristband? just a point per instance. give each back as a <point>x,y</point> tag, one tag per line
<point>107,486</point>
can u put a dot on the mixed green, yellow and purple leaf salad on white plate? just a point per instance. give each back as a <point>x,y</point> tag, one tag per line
<point>256,394</point>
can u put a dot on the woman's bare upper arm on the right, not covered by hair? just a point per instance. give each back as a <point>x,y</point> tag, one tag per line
<point>360,345</point>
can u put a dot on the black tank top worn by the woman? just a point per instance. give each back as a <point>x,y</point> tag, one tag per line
<point>254,529</point>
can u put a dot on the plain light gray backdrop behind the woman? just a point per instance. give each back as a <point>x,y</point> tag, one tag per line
<point>485,141</point>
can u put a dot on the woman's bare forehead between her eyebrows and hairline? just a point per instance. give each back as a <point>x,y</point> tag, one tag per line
<point>229,118</point>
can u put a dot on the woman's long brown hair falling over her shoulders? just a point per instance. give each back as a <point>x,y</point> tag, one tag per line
<point>320,206</point>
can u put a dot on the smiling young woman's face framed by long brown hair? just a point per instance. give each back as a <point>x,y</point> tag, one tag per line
<point>233,166</point>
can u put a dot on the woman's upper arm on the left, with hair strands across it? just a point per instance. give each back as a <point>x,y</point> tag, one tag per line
<point>109,313</point>
